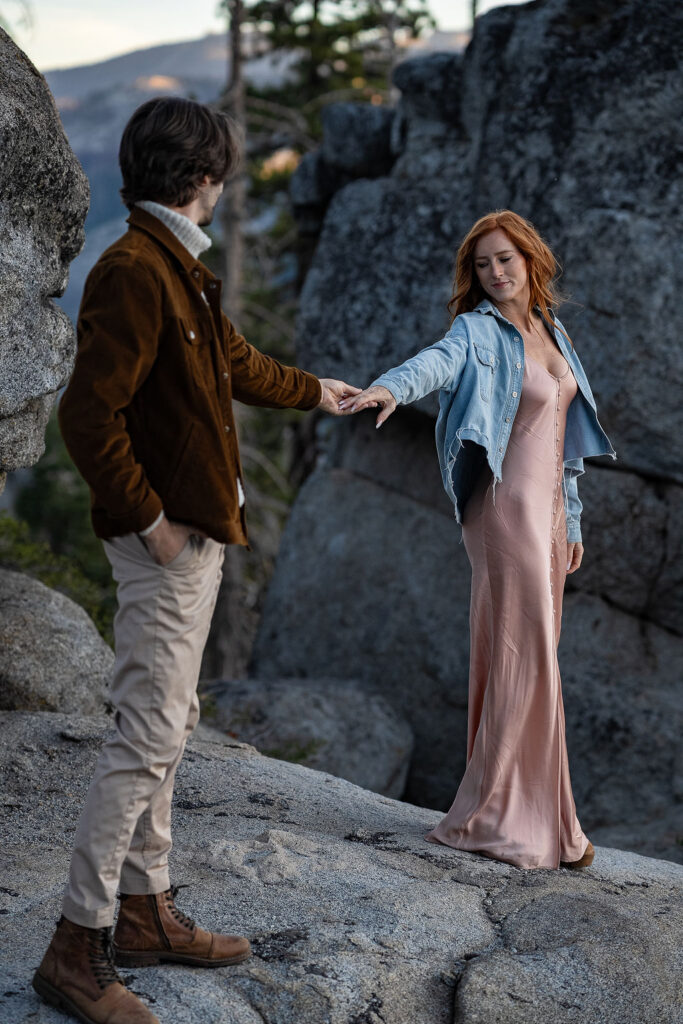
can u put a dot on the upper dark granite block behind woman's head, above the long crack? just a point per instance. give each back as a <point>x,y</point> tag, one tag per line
<point>591,164</point>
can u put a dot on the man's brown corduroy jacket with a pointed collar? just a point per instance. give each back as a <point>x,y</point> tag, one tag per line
<point>148,414</point>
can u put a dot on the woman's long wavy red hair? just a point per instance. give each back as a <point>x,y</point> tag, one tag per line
<point>542,267</point>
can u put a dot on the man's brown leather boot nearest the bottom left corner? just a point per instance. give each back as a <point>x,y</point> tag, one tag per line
<point>78,976</point>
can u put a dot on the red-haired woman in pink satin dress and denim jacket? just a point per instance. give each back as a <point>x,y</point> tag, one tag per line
<point>518,418</point>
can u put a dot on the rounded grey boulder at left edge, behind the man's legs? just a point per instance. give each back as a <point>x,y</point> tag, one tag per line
<point>52,656</point>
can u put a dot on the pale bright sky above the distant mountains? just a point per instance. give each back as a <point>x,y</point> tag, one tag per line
<point>67,33</point>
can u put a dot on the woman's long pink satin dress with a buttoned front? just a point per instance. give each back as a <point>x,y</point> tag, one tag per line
<point>516,803</point>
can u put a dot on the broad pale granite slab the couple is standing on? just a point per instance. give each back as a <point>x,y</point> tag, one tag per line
<point>354,918</point>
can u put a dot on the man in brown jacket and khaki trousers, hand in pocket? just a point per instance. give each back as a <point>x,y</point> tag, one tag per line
<point>149,422</point>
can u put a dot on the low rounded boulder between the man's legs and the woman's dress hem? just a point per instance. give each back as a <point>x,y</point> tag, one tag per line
<point>339,728</point>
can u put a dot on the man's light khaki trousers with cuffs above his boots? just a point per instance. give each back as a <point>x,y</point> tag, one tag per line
<point>161,628</point>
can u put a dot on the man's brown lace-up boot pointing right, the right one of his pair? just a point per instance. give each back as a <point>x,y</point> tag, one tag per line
<point>152,930</point>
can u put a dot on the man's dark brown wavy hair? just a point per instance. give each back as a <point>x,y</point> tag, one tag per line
<point>169,145</point>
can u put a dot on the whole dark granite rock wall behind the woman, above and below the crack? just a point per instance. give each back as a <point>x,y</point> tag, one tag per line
<point>565,111</point>
